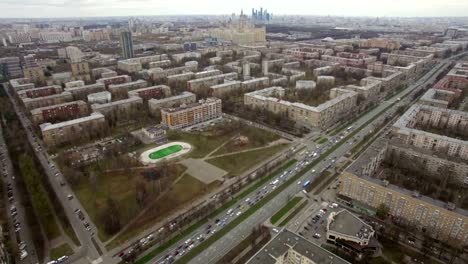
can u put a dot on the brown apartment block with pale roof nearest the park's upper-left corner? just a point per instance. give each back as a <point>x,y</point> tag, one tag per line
<point>68,131</point>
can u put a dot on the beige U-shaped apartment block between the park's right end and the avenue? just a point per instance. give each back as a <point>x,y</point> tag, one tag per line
<point>342,103</point>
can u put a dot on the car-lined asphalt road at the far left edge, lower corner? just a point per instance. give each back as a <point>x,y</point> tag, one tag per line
<point>23,234</point>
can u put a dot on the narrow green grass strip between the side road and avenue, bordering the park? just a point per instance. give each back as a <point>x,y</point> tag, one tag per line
<point>200,223</point>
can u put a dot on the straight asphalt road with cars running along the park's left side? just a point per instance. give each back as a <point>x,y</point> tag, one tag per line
<point>89,251</point>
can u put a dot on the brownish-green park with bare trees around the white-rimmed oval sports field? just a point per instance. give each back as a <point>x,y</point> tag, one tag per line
<point>123,196</point>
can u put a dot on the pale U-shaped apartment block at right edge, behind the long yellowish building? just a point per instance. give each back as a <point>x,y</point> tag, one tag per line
<point>433,118</point>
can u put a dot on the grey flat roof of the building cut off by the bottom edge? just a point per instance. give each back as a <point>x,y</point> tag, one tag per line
<point>286,240</point>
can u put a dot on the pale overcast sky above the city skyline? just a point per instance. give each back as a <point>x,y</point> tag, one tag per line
<point>85,8</point>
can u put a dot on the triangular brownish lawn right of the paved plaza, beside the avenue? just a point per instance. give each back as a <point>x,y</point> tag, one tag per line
<point>236,164</point>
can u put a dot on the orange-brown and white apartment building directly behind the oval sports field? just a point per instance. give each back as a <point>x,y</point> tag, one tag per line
<point>189,115</point>
